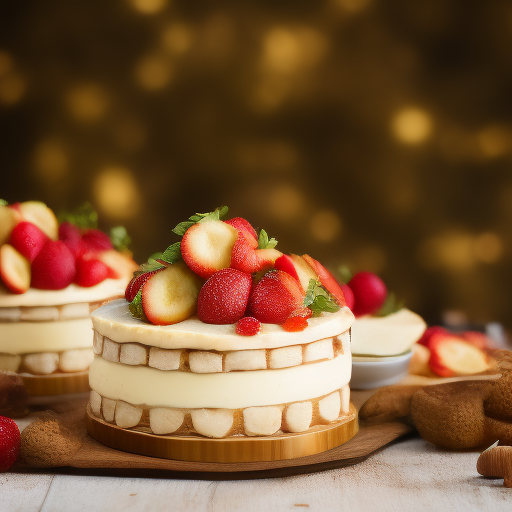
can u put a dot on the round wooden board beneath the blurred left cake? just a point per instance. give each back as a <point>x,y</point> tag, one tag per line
<point>55,384</point>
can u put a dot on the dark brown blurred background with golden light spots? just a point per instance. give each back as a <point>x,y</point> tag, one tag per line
<point>371,133</point>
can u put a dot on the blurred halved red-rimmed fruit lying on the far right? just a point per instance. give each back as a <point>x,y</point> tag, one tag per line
<point>451,356</point>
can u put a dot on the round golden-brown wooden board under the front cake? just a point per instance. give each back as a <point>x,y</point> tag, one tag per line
<point>234,449</point>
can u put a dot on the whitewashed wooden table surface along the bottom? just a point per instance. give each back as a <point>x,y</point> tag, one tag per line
<point>409,475</point>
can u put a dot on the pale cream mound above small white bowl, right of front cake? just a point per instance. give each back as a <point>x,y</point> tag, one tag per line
<point>386,336</point>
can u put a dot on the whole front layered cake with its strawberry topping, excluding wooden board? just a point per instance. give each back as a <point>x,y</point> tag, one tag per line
<point>223,336</point>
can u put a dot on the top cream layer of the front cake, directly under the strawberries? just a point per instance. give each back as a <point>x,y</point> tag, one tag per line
<point>114,321</point>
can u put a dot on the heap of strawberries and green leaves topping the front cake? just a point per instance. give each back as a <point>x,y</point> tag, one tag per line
<point>248,281</point>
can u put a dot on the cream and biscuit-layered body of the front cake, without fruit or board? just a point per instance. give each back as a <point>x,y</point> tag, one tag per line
<point>193,377</point>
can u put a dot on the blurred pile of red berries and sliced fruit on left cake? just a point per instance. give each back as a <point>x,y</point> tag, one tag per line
<point>47,256</point>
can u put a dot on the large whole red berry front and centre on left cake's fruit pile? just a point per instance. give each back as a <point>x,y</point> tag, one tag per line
<point>54,267</point>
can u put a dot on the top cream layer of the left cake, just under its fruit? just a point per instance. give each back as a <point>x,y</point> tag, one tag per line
<point>70,295</point>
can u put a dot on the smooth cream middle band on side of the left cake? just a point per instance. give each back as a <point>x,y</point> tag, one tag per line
<point>29,337</point>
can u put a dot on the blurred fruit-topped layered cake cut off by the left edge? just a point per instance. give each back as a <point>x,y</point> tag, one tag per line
<point>52,277</point>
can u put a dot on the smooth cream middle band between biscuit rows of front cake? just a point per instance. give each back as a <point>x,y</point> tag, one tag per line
<point>156,388</point>
